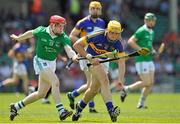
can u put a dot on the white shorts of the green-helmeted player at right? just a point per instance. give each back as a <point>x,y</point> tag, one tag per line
<point>145,67</point>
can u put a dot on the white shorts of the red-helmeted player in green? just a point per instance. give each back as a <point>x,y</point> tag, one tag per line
<point>40,64</point>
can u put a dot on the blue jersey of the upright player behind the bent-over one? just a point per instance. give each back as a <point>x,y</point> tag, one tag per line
<point>87,25</point>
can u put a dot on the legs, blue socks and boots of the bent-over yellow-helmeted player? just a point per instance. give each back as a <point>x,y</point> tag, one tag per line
<point>100,80</point>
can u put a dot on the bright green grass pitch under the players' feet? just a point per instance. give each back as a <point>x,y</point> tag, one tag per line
<point>162,108</point>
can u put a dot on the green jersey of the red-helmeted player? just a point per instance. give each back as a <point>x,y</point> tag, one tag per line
<point>48,46</point>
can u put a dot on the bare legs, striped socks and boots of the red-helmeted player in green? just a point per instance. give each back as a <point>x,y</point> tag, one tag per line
<point>45,77</point>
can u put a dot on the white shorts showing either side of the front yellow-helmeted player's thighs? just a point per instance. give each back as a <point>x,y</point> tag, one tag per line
<point>83,65</point>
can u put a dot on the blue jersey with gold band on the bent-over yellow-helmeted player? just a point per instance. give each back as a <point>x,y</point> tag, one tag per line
<point>98,43</point>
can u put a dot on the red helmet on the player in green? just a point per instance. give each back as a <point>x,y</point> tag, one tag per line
<point>57,19</point>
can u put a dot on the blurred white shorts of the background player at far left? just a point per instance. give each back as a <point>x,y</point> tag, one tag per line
<point>19,69</point>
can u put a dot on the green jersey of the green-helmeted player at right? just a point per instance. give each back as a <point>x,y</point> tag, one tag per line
<point>144,38</point>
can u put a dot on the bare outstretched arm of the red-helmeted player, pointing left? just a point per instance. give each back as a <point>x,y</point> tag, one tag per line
<point>22,37</point>
